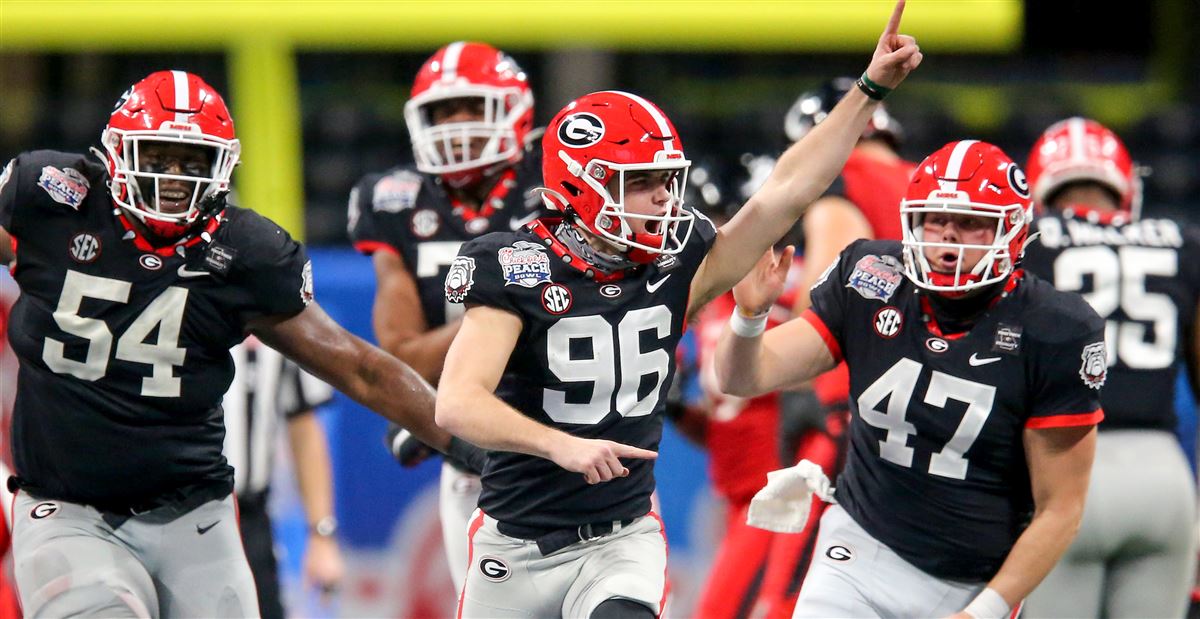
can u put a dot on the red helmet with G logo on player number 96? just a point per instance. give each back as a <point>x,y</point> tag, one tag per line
<point>613,133</point>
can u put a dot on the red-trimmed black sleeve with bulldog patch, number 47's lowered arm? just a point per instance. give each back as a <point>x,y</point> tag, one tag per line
<point>1069,374</point>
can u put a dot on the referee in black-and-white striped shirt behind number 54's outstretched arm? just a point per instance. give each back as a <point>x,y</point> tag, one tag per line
<point>268,392</point>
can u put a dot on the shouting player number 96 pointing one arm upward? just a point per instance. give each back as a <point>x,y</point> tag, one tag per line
<point>572,323</point>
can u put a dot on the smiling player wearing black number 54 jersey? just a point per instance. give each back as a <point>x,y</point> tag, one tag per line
<point>136,281</point>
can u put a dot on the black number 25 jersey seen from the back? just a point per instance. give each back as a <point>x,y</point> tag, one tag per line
<point>1144,280</point>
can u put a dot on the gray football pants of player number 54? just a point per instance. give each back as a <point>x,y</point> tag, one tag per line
<point>70,562</point>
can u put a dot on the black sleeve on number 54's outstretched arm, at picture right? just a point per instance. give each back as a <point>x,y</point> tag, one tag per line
<point>275,271</point>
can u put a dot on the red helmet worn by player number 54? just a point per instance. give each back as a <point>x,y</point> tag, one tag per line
<point>171,107</point>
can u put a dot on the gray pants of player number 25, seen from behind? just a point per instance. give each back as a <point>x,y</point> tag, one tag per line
<point>1136,551</point>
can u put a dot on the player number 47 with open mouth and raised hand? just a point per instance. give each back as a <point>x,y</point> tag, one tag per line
<point>975,393</point>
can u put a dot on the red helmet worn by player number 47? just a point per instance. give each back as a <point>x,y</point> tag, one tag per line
<point>967,178</point>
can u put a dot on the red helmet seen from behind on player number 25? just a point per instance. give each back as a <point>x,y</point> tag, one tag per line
<point>1079,149</point>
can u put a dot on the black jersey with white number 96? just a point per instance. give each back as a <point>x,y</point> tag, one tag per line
<point>596,359</point>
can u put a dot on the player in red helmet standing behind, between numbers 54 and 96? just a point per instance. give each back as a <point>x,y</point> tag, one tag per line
<point>471,122</point>
